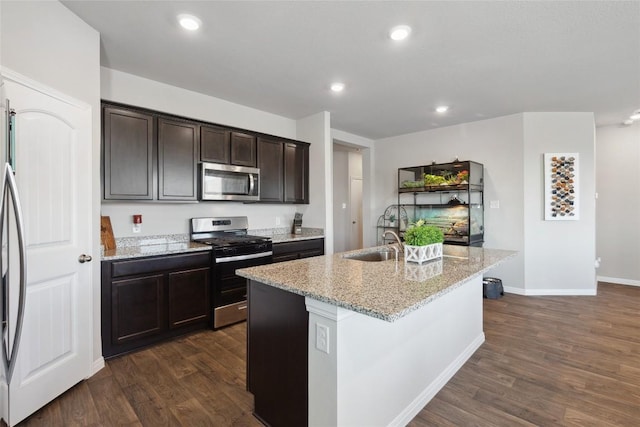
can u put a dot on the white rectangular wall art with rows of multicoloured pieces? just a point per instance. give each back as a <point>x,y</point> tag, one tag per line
<point>561,187</point>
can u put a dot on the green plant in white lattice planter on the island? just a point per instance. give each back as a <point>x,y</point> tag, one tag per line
<point>422,242</point>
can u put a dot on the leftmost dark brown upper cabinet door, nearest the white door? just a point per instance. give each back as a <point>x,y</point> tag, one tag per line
<point>128,154</point>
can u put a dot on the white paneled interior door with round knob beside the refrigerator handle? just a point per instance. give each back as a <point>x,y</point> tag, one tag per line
<point>53,172</point>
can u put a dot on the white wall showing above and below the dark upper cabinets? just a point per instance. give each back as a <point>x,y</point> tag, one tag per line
<point>172,218</point>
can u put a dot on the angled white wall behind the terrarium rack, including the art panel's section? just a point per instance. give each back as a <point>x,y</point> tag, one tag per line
<point>555,257</point>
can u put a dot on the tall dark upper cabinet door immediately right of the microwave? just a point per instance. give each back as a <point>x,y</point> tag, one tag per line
<point>270,162</point>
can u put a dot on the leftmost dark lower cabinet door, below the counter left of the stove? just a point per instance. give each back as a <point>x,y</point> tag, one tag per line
<point>137,308</point>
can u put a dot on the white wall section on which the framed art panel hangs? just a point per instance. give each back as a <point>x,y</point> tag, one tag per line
<point>559,255</point>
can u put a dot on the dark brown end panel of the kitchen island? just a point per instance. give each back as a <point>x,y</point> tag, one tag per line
<point>277,355</point>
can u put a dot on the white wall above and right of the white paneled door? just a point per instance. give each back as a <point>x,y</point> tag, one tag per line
<point>49,44</point>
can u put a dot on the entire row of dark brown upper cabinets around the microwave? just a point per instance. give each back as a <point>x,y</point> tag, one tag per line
<point>148,155</point>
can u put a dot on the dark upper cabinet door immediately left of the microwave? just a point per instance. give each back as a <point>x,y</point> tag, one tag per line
<point>177,160</point>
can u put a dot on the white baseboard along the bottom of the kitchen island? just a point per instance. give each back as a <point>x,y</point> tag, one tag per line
<point>432,389</point>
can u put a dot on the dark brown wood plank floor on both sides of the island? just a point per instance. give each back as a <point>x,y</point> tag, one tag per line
<point>571,361</point>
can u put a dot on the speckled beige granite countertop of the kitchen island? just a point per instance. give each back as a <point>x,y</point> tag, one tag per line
<point>387,290</point>
